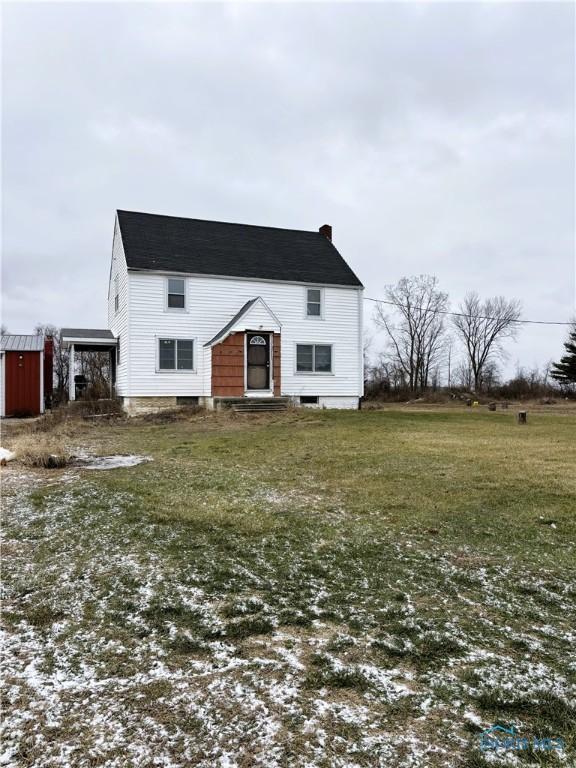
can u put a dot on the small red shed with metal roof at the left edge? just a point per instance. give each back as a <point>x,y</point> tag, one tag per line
<point>24,366</point>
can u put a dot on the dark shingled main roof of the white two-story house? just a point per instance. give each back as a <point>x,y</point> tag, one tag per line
<point>171,244</point>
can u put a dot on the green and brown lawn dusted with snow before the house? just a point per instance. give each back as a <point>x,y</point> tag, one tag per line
<point>312,588</point>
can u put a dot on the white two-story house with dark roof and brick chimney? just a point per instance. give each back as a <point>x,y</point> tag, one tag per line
<point>202,310</point>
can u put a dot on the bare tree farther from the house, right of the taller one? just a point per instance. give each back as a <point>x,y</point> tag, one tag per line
<point>482,326</point>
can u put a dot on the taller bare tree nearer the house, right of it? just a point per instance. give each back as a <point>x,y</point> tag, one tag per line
<point>416,329</point>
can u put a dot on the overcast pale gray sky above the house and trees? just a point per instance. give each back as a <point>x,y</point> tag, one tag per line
<point>435,138</point>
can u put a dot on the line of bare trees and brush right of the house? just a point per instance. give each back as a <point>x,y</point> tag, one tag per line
<point>428,346</point>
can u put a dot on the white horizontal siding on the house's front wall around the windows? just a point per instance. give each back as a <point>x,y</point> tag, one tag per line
<point>216,301</point>
